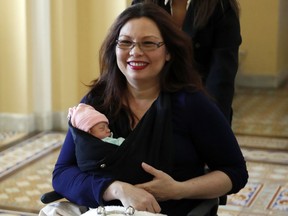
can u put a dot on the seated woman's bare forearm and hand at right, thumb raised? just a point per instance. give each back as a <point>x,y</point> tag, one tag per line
<point>163,187</point>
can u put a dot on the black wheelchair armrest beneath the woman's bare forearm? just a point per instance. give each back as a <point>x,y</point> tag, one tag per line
<point>208,207</point>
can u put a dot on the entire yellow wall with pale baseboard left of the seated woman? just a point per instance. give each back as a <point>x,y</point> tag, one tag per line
<point>77,30</point>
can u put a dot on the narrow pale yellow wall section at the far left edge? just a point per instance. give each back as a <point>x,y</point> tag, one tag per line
<point>15,95</point>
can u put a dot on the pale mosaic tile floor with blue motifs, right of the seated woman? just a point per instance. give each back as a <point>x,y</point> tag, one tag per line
<point>265,194</point>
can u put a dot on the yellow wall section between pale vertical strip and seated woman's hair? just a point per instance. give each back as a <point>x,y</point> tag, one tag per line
<point>78,30</point>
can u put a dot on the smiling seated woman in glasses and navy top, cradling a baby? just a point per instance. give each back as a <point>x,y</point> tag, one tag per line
<point>153,97</point>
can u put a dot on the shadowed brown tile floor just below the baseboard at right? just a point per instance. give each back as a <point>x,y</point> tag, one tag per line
<point>262,112</point>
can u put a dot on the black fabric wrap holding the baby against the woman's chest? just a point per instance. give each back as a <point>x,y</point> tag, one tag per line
<point>150,142</point>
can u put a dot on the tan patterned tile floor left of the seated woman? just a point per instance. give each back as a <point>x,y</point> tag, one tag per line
<point>25,173</point>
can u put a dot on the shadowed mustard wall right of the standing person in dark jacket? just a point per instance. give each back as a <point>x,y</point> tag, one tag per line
<point>264,55</point>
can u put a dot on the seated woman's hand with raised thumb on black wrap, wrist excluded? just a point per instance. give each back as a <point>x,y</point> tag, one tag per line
<point>162,187</point>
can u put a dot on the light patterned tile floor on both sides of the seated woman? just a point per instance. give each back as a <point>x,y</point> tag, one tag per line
<point>266,193</point>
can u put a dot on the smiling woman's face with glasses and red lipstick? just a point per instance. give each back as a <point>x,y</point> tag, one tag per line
<point>141,63</point>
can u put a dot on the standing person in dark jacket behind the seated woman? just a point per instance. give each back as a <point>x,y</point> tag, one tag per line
<point>213,26</point>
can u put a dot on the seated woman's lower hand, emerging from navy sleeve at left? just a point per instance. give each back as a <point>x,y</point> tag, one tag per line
<point>130,195</point>
